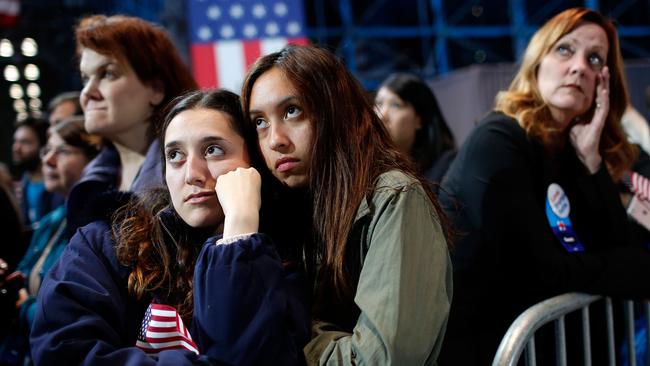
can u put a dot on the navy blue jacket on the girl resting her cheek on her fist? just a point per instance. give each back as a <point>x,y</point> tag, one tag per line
<point>247,309</point>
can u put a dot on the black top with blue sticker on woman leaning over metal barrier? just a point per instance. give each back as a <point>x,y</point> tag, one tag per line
<point>507,258</point>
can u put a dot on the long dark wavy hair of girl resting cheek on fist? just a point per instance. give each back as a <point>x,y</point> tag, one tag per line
<point>151,237</point>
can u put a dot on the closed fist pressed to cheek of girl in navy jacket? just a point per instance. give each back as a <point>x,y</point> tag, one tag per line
<point>240,198</point>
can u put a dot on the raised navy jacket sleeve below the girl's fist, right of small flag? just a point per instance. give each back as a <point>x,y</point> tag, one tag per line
<point>248,308</point>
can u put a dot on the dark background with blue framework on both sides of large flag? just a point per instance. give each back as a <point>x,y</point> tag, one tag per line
<point>433,38</point>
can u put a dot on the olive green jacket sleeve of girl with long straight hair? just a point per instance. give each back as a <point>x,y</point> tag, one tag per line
<point>404,290</point>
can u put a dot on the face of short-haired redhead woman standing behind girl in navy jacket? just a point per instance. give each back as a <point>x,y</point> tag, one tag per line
<point>114,100</point>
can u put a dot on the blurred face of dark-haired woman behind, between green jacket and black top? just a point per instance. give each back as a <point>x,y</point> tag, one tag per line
<point>400,118</point>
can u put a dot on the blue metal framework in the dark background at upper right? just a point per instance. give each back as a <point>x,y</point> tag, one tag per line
<point>447,31</point>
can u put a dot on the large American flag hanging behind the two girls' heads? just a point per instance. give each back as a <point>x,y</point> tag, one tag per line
<point>227,36</point>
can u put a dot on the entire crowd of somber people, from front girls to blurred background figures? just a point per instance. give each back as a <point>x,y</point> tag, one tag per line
<point>303,222</point>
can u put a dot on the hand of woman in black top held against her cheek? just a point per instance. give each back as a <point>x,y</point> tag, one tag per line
<point>585,136</point>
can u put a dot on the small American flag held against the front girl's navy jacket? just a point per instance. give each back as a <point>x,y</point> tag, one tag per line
<point>162,329</point>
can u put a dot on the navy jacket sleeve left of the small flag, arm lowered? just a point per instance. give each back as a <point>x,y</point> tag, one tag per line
<point>84,315</point>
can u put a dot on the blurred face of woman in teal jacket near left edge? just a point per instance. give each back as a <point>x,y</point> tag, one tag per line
<point>62,164</point>
